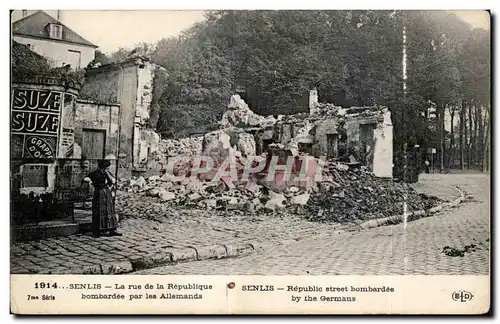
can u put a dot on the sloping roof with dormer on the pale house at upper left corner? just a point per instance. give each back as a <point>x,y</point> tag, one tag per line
<point>35,25</point>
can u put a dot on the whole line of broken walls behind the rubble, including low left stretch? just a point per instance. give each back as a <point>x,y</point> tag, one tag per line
<point>243,133</point>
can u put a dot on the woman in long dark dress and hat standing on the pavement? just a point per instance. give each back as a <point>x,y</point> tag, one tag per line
<point>104,219</point>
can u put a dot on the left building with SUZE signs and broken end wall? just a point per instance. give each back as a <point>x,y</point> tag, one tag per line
<point>61,130</point>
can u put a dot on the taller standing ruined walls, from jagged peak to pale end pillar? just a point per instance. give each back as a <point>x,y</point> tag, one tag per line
<point>358,134</point>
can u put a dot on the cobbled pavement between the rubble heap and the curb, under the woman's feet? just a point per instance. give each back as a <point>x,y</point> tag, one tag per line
<point>146,237</point>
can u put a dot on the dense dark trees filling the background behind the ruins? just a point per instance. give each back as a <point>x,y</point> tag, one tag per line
<point>273,58</point>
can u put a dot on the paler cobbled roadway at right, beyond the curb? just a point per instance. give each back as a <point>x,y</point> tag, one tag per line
<point>418,249</point>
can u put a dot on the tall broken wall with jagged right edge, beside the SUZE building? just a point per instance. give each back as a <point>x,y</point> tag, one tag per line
<point>129,83</point>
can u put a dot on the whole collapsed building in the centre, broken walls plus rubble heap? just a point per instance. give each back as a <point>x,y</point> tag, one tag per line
<point>357,144</point>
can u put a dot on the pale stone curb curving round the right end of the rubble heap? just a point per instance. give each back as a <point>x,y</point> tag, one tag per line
<point>393,220</point>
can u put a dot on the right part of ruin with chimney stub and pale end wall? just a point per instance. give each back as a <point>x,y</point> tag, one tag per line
<point>362,133</point>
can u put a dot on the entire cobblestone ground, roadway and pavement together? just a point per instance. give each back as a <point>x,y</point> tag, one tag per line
<point>289,245</point>
